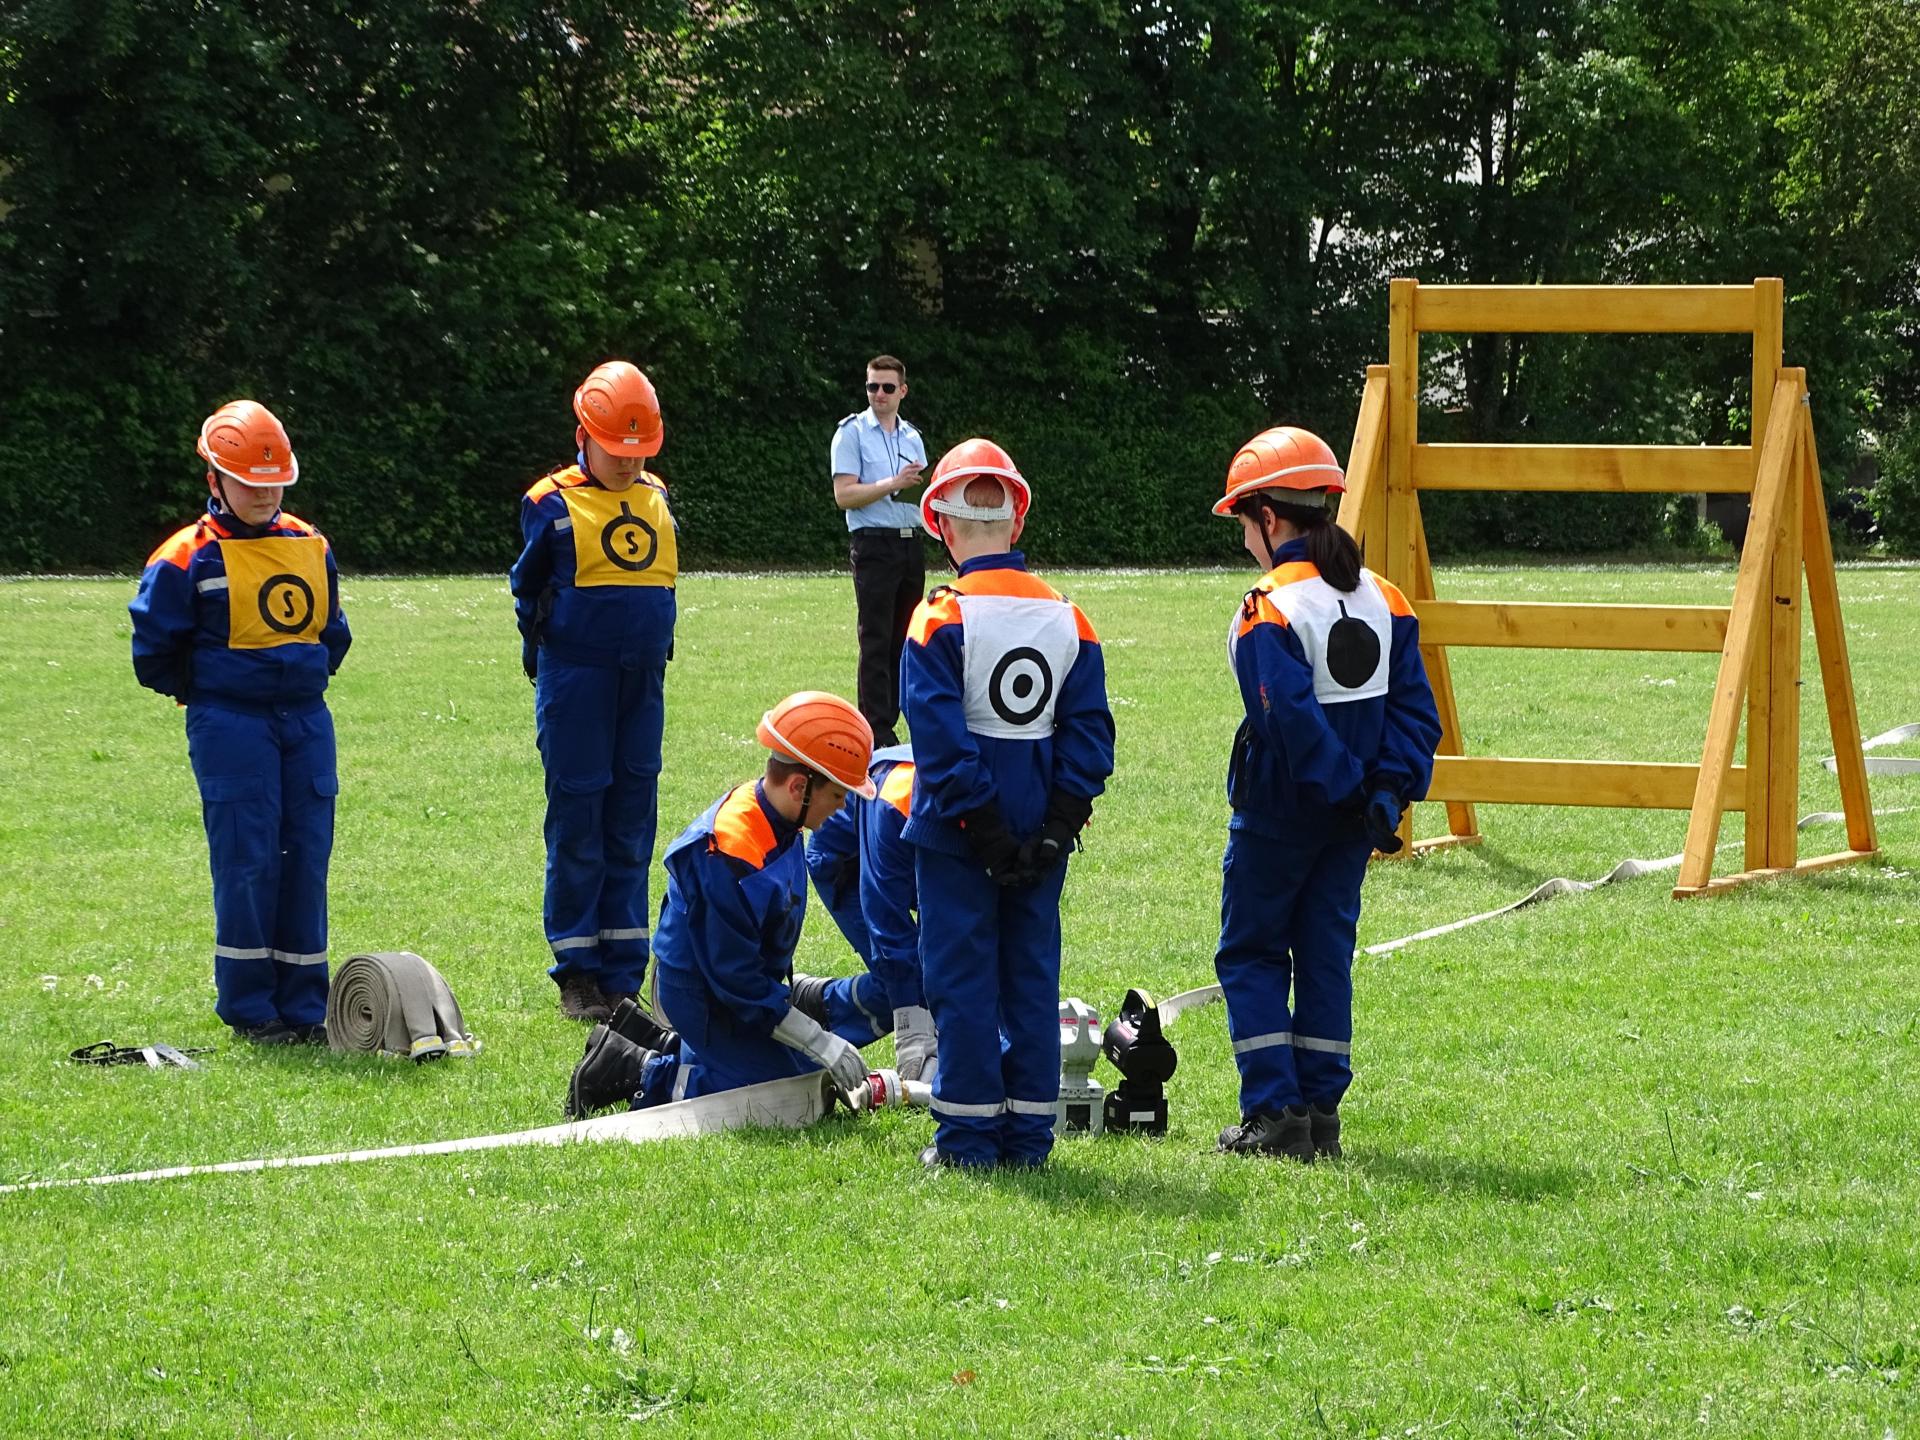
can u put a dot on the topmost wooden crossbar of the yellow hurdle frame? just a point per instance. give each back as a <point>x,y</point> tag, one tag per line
<point>1587,308</point>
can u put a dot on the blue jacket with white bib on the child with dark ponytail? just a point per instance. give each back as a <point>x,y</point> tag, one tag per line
<point>1307,756</point>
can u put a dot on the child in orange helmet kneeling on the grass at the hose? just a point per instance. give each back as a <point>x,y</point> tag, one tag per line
<point>736,896</point>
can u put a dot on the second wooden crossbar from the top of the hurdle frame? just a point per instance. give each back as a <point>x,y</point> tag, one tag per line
<point>1610,469</point>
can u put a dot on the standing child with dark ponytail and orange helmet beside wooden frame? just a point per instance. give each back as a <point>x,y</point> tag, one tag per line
<point>1339,738</point>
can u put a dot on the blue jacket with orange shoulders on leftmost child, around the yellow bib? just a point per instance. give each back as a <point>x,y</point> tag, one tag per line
<point>181,625</point>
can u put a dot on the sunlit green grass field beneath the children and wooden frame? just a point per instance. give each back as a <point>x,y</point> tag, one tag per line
<point>1618,1164</point>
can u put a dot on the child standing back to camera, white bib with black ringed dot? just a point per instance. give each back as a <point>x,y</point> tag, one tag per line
<point>1013,742</point>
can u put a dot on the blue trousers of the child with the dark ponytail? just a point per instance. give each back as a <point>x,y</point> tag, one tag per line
<point>1289,915</point>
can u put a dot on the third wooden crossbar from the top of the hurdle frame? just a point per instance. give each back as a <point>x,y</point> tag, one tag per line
<point>1573,627</point>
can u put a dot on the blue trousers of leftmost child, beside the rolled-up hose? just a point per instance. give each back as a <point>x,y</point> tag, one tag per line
<point>268,786</point>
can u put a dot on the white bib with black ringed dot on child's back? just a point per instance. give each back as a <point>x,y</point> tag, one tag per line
<point>1015,660</point>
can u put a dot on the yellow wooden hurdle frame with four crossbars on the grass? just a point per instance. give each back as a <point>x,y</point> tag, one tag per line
<point>1758,636</point>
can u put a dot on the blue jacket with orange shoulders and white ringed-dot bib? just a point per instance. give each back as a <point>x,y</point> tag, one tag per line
<point>1005,690</point>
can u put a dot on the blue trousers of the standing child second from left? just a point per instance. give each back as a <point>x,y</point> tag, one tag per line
<point>600,742</point>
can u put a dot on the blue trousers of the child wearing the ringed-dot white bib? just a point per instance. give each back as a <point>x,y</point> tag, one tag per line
<point>992,969</point>
